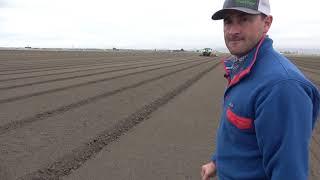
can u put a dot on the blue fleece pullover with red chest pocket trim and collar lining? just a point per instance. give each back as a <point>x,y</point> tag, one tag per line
<point>269,111</point>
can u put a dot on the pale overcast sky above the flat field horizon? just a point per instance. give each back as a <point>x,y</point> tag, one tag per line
<point>144,24</point>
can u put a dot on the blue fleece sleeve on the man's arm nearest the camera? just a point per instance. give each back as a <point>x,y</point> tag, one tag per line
<point>283,123</point>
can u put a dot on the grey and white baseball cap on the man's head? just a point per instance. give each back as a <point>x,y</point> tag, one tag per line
<point>247,6</point>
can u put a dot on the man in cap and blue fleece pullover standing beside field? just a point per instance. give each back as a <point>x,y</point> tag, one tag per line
<point>270,107</point>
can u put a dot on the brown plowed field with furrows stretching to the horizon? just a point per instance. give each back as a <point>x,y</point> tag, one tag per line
<point>114,115</point>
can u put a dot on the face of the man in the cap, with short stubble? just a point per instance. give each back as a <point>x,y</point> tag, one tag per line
<point>243,31</point>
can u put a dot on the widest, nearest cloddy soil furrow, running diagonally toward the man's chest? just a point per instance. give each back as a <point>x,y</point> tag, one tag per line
<point>74,160</point>
